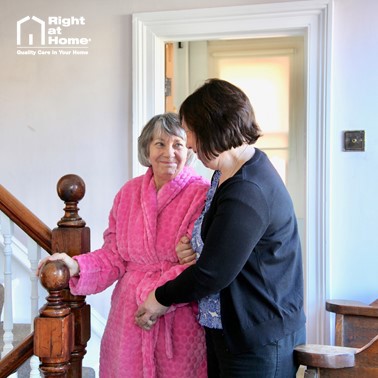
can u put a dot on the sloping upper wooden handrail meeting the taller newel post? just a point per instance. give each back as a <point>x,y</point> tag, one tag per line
<point>25,219</point>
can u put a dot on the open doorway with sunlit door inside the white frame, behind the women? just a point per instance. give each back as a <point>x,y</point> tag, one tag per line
<point>271,72</point>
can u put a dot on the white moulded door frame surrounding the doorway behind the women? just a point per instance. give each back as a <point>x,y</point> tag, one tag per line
<point>311,18</point>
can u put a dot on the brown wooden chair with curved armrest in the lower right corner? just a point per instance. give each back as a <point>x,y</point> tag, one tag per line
<point>356,339</point>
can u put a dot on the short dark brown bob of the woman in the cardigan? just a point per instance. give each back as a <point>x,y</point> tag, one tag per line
<point>221,116</point>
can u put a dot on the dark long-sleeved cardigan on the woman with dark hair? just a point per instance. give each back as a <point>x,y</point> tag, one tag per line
<point>251,255</point>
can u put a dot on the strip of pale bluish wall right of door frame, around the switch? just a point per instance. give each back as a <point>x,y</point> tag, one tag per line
<point>354,204</point>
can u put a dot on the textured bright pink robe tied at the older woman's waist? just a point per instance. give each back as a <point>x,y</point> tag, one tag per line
<point>139,252</point>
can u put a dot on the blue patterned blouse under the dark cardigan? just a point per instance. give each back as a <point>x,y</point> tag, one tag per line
<point>209,307</point>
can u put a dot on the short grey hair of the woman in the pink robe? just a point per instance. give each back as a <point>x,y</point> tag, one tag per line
<point>167,123</point>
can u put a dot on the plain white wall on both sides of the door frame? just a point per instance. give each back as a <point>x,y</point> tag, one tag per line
<point>72,114</point>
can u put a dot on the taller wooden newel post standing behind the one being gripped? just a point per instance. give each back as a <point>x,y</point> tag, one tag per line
<point>73,237</point>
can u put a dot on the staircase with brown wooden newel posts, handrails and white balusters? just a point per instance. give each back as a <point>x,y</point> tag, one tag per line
<point>64,318</point>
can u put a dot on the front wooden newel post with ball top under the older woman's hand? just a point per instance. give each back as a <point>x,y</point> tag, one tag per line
<point>54,329</point>
